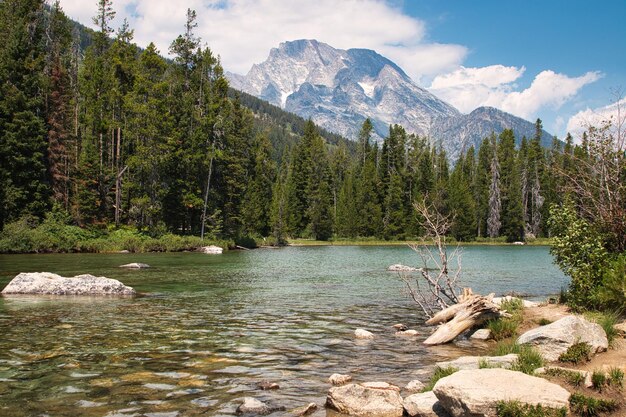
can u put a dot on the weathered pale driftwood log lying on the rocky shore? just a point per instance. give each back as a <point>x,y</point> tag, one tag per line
<point>471,311</point>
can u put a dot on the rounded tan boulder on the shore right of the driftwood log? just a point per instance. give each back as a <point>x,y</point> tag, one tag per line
<point>555,338</point>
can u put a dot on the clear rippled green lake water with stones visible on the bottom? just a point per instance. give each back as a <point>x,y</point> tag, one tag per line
<point>213,327</point>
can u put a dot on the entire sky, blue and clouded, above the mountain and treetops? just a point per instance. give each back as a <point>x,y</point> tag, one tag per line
<point>563,61</point>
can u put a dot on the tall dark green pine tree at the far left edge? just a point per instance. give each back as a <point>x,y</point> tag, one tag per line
<point>22,129</point>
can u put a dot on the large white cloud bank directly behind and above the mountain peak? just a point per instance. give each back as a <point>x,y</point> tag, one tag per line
<point>243,31</point>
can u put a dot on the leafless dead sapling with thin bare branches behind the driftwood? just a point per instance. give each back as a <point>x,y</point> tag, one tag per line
<point>436,286</point>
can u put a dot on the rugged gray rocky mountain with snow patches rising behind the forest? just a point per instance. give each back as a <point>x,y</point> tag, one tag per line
<point>338,89</point>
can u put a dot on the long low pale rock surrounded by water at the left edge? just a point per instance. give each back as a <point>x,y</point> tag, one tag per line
<point>46,283</point>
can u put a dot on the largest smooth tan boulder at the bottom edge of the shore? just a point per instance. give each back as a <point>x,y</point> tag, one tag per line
<point>476,393</point>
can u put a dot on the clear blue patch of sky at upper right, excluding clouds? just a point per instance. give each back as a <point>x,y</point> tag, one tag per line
<point>571,37</point>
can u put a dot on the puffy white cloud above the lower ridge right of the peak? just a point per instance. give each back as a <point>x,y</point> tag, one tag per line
<point>469,88</point>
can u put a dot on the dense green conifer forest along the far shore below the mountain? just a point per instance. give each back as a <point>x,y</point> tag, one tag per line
<point>115,136</point>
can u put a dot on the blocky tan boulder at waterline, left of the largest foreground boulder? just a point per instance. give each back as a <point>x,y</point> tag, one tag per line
<point>372,399</point>
